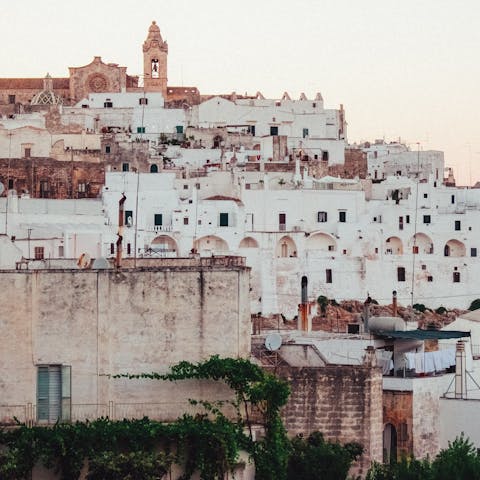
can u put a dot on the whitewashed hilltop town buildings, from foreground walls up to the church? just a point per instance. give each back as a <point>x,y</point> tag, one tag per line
<point>144,224</point>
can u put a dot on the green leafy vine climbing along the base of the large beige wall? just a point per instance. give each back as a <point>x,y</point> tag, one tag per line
<point>207,443</point>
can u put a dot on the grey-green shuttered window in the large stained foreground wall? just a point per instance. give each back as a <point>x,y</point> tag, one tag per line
<point>54,393</point>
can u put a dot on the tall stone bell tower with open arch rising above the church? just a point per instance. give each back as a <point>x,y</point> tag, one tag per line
<point>155,52</point>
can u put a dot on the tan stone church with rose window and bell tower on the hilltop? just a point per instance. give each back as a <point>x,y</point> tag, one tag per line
<point>23,95</point>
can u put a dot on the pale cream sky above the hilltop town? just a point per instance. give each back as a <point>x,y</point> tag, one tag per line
<point>406,69</point>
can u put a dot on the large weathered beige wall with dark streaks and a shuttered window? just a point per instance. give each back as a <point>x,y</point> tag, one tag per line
<point>103,322</point>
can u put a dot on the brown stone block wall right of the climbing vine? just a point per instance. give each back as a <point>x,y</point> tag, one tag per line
<point>342,401</point>
